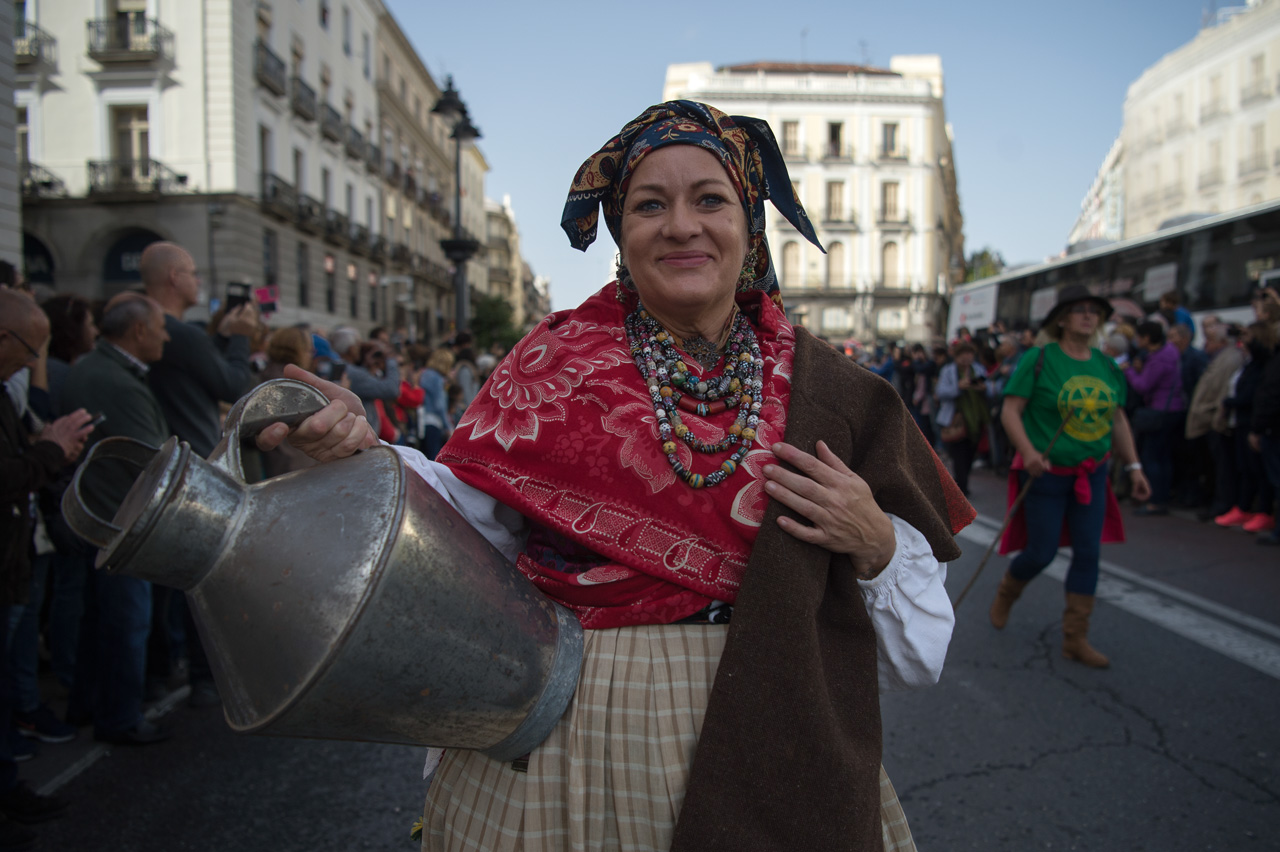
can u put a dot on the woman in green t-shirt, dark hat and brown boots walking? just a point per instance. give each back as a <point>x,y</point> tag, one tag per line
<point>1064,414</point>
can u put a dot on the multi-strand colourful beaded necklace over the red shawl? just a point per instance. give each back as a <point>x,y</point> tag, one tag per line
<point>675,388</point>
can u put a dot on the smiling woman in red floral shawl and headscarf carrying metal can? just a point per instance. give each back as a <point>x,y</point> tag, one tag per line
<point>749,526</point>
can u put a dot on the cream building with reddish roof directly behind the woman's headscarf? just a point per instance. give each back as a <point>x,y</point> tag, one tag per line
<point>871,157</point>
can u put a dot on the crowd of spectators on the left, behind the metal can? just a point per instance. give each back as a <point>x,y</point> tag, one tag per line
<point>79,373</point>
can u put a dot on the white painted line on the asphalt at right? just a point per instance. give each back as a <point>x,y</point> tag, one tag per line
<point>1219,629</point>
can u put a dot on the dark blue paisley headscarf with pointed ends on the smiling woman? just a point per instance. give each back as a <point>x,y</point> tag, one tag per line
<point>746,148</point>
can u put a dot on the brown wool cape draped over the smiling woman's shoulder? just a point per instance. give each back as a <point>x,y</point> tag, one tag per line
<point>790,750</point>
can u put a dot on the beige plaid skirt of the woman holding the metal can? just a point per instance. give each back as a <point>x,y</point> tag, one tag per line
<point>614,772</point>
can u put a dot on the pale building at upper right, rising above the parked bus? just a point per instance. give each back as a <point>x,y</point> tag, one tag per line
<point>1203,126</point>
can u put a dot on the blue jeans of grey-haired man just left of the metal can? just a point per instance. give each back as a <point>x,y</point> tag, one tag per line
<point>111,666</point>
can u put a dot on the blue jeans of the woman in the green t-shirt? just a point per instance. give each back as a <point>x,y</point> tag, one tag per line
<point>1050,503</point>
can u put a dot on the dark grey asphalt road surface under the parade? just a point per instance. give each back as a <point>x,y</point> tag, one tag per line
<point>1176,748</point>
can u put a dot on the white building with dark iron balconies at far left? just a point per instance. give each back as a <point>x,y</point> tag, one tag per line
<point>240,130</point>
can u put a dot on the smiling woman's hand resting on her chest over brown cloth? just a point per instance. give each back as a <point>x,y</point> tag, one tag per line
<point>838,503</point>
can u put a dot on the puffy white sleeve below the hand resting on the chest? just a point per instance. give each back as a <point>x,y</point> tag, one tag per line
<point>911,611</point>
